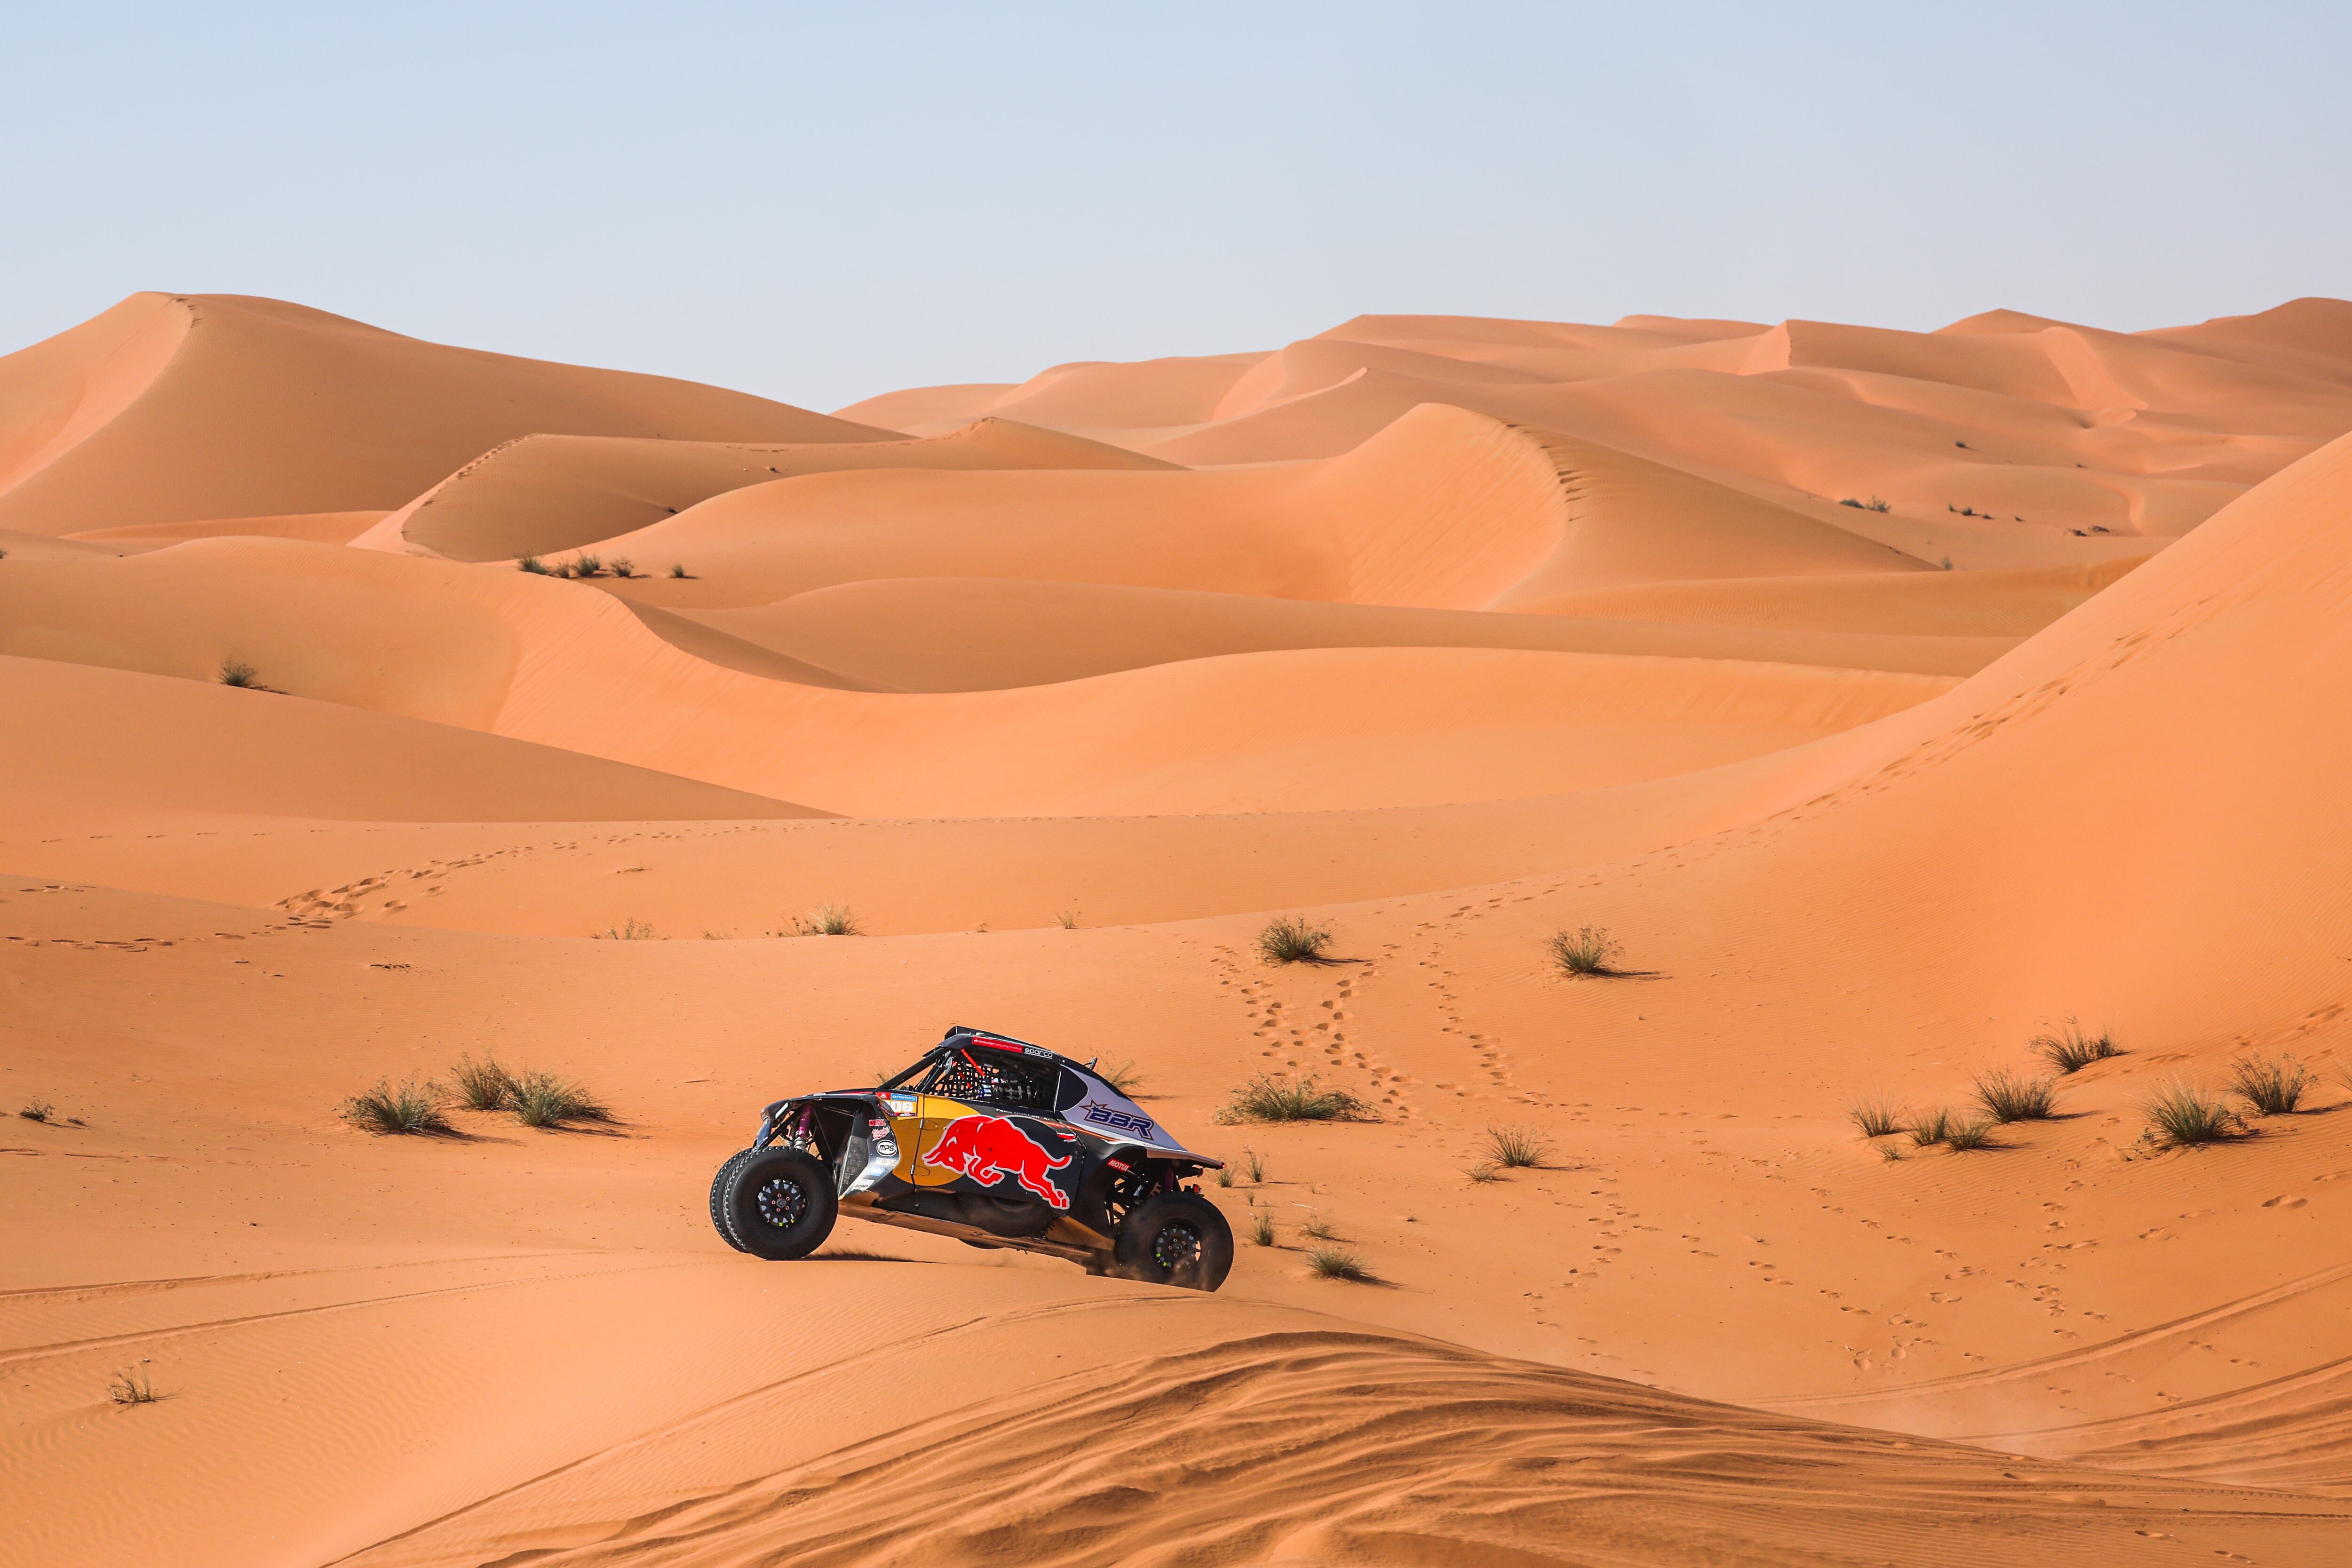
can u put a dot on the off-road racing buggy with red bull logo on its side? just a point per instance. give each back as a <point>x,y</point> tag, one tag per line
<point>991,1141</point>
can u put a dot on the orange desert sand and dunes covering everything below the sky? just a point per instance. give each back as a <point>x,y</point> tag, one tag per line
<point>1890,697</point>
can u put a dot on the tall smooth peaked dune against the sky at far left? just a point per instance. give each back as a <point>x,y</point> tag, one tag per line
<point>180,408</point>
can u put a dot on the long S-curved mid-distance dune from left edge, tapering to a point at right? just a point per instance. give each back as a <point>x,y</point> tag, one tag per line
<point>568,666</point>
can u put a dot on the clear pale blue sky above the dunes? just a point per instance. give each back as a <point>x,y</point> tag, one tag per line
<point>829,201</point>
